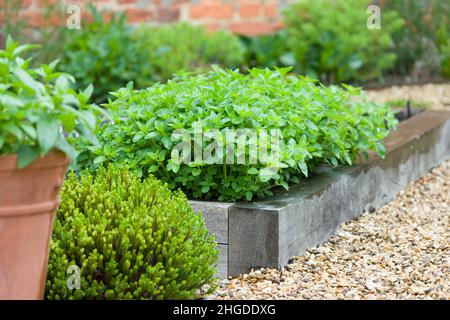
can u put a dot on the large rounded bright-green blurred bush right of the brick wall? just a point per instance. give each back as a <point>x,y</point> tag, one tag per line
<point>330,40</point>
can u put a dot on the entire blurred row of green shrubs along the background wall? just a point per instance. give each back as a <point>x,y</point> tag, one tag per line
<point>328,40</point>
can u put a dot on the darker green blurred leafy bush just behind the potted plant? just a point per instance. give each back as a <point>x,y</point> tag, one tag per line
<point>106,55</point>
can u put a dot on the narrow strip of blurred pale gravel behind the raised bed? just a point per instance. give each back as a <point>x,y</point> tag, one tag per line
<point>437,96</point>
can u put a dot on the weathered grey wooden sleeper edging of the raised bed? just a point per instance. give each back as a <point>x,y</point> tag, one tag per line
<point>269,232</point>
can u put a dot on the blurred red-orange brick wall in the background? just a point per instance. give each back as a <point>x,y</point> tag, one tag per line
<point>249,17</point>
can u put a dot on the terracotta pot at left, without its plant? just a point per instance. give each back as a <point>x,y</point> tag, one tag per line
<point>29,198</point>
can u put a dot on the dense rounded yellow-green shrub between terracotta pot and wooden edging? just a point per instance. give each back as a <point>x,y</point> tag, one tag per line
<point>132,239</point>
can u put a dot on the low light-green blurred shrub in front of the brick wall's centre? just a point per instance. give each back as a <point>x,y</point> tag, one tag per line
<point>176,47</point>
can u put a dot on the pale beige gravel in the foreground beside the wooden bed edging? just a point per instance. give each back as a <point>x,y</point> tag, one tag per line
<point>401,251</point>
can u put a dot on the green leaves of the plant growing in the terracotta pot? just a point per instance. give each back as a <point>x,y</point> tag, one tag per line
<point>36,104</point>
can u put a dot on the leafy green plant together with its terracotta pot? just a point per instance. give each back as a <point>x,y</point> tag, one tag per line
<point>39,112</point>
